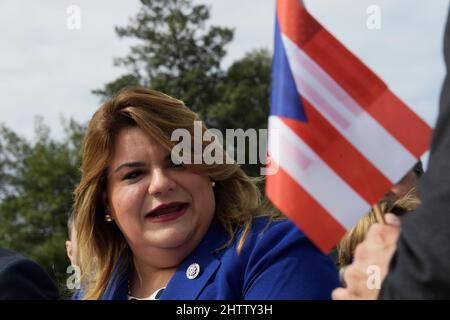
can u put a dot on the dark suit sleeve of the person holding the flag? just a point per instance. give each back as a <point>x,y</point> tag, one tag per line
<point>420,268</point>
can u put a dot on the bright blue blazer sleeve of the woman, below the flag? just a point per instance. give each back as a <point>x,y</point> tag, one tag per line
<point>280,262</point>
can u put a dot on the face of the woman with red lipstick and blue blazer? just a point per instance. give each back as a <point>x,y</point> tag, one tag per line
<point>162,209</point>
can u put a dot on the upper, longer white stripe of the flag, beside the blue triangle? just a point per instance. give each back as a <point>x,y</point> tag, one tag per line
<point>379,147</point>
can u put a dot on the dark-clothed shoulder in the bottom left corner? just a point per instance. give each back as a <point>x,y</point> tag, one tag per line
<point>22,279</point>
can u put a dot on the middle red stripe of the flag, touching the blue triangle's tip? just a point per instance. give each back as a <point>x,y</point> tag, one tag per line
<point>340,155</point>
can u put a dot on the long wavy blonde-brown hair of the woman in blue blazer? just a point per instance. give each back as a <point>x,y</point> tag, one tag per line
<point>101,244</point>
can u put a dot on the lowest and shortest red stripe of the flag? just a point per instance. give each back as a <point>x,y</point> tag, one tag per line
<point>309,216</point>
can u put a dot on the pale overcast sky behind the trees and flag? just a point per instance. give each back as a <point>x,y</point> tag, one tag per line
<point>48,70</point>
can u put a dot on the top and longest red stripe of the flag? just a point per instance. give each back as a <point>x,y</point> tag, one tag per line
<point>353,76</point>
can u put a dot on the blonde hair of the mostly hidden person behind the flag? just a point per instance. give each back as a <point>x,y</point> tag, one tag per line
<point>356,235</point>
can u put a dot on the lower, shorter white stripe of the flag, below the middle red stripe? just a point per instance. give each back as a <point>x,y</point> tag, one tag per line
<point>294,156</point>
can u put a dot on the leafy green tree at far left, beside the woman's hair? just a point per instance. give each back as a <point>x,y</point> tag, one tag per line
<point>37,179</point>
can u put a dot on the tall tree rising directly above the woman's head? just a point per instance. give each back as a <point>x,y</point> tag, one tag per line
<point>177,52</point>
